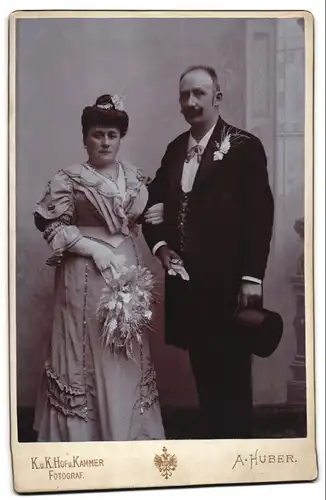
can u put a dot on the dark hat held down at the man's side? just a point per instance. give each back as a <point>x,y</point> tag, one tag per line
<point>262,328</point>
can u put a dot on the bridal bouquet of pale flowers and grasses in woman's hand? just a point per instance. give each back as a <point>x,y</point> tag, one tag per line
<point>124,308</point>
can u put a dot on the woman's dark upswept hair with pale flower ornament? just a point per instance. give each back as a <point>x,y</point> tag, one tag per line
<point>106,112</point>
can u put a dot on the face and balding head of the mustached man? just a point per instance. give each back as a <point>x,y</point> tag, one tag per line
<point>196,97</point>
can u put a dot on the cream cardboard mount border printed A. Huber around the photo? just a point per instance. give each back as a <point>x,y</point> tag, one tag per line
<point>49,467</point>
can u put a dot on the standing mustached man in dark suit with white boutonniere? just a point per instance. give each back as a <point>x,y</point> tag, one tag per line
<point>218,218</point>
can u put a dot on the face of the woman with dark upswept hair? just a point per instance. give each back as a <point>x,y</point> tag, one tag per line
<point>102,144</point>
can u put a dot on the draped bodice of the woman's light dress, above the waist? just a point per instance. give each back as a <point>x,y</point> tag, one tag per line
<point>85,198</point>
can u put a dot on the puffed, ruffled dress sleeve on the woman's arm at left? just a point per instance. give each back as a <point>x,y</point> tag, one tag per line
<point>54,214</point>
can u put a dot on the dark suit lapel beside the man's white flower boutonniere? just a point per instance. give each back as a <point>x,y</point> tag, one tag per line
<point>207,164</point>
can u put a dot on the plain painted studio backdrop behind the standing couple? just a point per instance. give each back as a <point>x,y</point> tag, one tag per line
<point>64,64</point>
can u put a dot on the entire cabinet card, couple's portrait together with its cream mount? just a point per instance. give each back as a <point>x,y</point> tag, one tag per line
<point>161,277</point>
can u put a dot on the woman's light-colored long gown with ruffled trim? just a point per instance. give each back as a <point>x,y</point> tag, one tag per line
<point>87,392</point>
